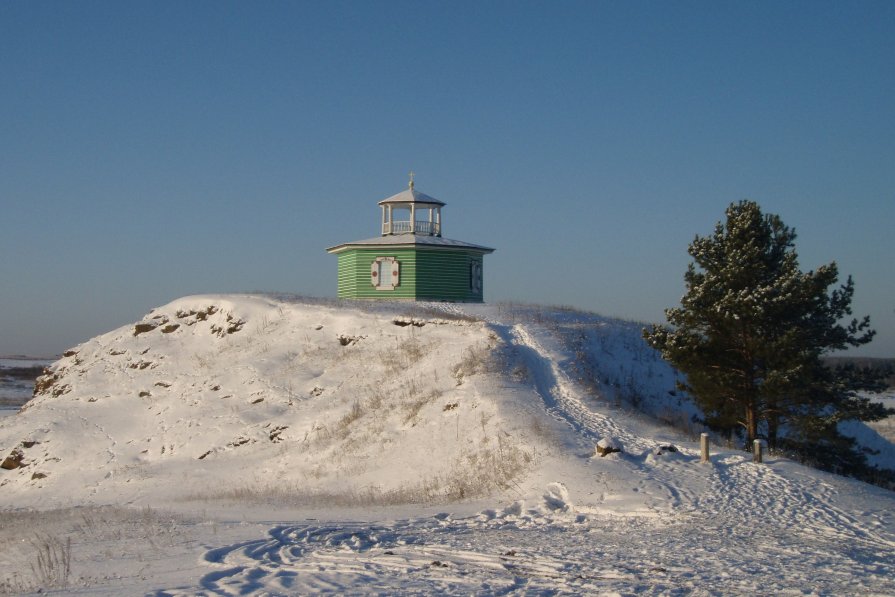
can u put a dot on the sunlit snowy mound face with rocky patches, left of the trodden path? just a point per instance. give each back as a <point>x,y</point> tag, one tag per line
<point>235,397</point>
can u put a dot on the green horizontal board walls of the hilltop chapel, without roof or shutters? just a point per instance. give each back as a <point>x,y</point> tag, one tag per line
<point>426,274</point>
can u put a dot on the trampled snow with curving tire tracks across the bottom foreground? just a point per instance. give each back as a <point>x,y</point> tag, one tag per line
<point>536,552</point>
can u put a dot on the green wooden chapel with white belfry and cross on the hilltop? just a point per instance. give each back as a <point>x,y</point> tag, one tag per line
<point>411,260</point>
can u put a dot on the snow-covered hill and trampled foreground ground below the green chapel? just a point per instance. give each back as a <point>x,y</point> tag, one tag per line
<point>250,445</point>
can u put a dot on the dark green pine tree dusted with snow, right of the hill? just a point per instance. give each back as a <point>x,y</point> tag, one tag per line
<point>751,332</point>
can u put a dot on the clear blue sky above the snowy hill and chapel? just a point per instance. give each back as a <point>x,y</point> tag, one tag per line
<point>158,149</point>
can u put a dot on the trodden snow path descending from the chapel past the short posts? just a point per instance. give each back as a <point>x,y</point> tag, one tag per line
<point>747,495</point>
